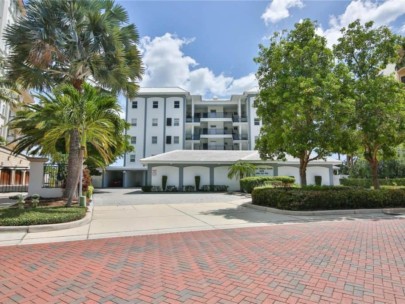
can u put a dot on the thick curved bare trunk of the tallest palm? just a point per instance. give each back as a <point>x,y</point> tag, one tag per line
<point>74,165</point>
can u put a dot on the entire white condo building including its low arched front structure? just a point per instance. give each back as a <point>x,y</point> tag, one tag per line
<point>179,135</point>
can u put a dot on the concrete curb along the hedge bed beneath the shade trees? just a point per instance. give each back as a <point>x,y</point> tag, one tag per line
<point>391,211</point>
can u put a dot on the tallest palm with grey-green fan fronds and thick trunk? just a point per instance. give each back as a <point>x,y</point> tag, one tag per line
<point>72,41</point>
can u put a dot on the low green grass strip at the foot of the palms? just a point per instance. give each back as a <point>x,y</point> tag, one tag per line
<point>40,215</point>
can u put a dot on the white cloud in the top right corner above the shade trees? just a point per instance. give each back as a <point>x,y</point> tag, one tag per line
<point>382,13</point>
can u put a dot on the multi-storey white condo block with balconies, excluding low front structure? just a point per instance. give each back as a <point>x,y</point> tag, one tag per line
<point>168,119</point>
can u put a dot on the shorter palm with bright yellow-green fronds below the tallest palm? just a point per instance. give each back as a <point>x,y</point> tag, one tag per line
<point>92,115</point>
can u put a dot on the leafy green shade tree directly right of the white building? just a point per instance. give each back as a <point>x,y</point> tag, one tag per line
<point>301,100</point>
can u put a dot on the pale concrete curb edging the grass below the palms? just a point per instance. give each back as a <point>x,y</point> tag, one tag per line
<point>50,227</point>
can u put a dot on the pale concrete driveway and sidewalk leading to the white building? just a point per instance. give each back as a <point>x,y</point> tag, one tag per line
<point>129,216</point>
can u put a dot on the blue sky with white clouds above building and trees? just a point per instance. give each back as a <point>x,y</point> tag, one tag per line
<point>207,47</point>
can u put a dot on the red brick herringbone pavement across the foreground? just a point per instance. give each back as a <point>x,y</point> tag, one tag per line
<point>329,262</point>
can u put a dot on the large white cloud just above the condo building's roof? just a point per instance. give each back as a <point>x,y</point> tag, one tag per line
<point>167,66</point>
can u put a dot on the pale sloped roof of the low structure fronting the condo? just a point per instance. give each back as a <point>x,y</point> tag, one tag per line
<point>221,157</point>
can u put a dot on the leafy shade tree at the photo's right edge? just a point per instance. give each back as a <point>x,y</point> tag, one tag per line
<point>379,116</point>
